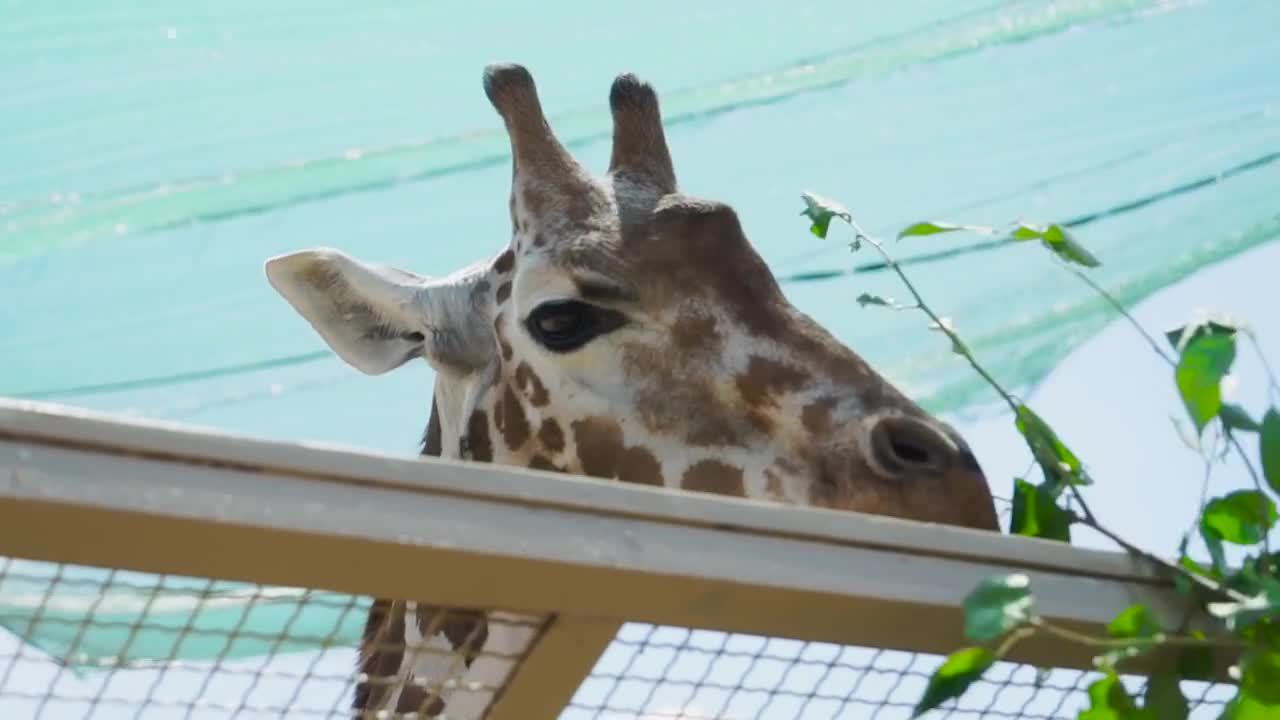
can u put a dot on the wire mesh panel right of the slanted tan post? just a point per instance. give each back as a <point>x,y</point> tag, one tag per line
<point>661,673</point>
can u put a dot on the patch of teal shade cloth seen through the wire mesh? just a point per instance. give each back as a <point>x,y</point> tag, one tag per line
<point>93,618</point>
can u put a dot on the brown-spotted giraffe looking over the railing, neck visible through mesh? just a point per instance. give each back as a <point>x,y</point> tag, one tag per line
<point>629,331</point>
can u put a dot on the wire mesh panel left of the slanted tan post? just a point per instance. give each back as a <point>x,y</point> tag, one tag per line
<point>109,645</point>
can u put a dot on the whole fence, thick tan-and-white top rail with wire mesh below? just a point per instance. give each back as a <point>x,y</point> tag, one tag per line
<point>644,607</point>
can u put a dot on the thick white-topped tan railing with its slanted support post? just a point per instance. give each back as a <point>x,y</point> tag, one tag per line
<point>577,557</point>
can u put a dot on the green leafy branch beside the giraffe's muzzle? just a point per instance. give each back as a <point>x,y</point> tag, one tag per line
<point>1000,612</point>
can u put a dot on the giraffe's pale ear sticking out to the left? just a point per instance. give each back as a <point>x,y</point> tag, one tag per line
<point>378,318</point>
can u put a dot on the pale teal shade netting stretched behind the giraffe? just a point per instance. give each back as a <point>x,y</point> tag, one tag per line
<point>154,160</point>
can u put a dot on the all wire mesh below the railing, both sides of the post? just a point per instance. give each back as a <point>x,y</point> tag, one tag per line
<point>109,645</point>
